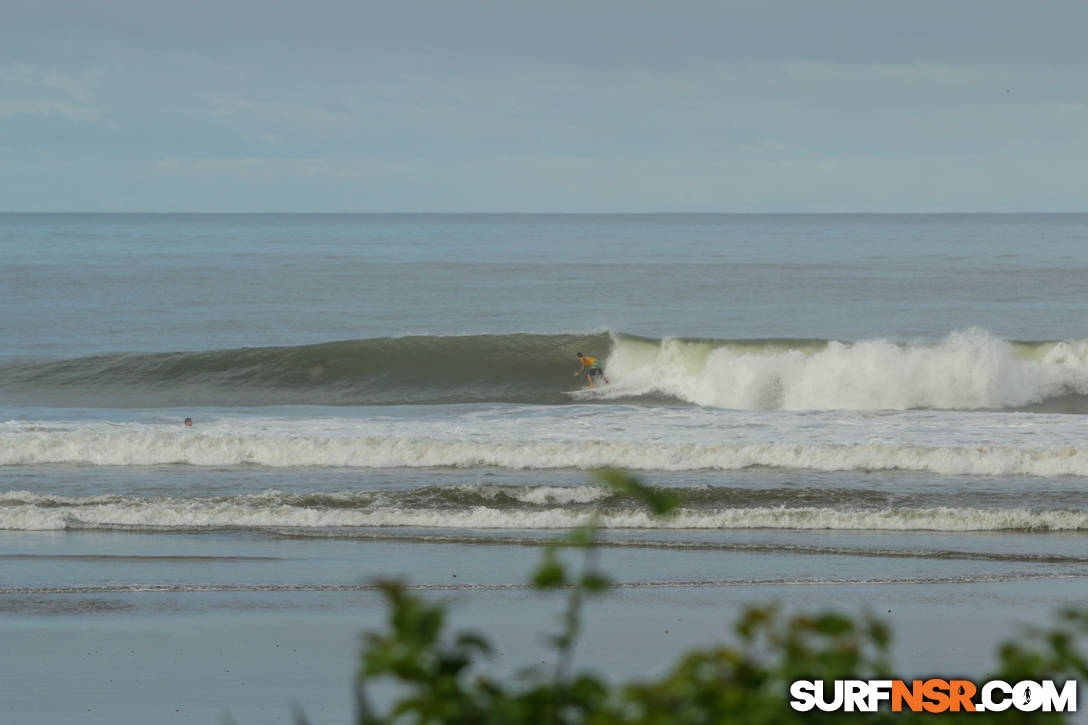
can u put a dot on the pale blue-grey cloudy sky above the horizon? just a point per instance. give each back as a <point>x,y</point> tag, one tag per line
<point>504,106</point>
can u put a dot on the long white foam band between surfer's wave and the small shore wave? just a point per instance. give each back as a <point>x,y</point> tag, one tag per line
<point>156,448</point>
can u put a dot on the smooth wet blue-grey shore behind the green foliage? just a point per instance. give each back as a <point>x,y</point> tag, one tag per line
<point>254,661</point>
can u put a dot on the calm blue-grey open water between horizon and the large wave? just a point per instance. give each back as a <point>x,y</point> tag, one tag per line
<point>82,285</point>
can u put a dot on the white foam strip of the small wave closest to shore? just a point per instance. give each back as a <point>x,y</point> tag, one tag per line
<point>273,510</point>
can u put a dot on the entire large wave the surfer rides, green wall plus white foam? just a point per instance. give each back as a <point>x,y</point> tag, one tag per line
<point>968,371</point>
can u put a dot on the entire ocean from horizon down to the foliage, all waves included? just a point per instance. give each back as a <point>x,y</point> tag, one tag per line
<point>883,413</point>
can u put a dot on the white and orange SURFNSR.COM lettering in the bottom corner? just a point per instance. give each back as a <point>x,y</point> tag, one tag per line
<point>934,696</point>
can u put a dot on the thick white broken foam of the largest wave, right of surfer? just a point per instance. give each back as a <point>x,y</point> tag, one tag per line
<point>968,371</point>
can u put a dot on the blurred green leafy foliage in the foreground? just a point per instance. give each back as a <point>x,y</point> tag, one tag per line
<point>440,678</point>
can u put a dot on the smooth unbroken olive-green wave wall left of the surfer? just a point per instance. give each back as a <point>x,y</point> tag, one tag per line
<point>516,368</point>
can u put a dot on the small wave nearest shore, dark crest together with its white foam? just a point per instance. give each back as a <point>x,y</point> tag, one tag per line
<point>490,507</point>
